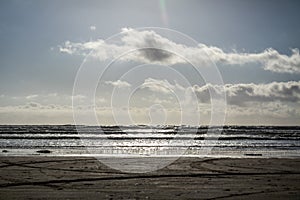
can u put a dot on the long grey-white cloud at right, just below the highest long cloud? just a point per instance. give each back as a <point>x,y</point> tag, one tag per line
<point>237,94</point>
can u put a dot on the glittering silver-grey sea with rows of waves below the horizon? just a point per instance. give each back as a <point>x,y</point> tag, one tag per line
<point>143,140</point>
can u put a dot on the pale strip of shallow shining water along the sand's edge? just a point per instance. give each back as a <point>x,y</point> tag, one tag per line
<point>55,152</point>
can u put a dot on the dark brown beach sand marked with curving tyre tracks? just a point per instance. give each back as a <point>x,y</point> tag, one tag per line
<point>187,178</point>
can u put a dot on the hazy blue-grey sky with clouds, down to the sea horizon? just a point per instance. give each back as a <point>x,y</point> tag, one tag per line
<point>247,52</point>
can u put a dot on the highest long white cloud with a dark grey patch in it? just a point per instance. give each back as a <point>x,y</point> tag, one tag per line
<point>154,48</point>
